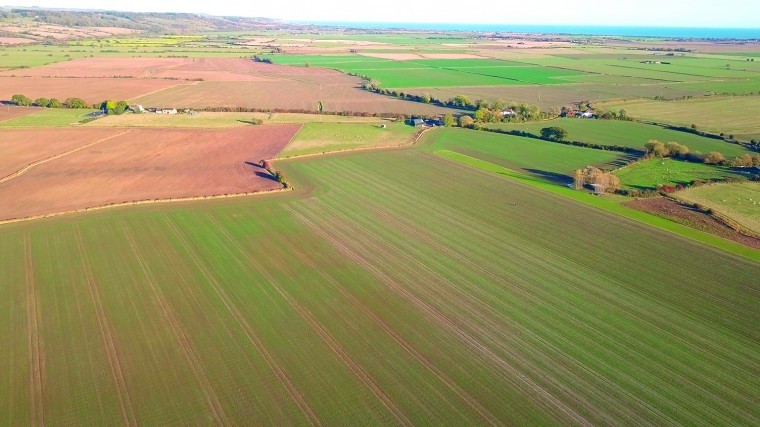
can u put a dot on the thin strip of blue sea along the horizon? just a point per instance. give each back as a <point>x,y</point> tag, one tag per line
<point>623,31</point>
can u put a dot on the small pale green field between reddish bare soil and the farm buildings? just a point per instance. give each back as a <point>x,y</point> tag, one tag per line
<point>323,137</point>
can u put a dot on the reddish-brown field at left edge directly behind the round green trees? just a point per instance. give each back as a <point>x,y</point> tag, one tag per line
<point>90,89</point>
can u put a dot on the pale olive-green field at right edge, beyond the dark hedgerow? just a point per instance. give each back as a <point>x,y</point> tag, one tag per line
<point>730,115</point>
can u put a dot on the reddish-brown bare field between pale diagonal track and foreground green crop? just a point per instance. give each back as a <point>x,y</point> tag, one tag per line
<point>147,164</point>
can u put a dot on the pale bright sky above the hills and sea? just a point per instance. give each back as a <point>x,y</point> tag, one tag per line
<point>657,13</point>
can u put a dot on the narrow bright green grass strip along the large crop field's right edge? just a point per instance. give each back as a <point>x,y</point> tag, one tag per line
<point>607,205</point>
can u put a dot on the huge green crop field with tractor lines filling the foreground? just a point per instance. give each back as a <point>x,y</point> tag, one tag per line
<point>396,287</point>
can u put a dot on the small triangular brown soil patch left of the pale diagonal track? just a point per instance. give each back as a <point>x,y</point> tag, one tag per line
<point>20,147</point>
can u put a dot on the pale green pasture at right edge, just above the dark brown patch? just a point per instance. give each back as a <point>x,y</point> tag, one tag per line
<point>739,201</point>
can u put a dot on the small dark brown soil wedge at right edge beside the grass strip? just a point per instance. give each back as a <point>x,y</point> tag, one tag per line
<point>669,209</point>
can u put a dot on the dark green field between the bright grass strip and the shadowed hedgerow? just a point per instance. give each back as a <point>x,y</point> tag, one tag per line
<point>547,160</point>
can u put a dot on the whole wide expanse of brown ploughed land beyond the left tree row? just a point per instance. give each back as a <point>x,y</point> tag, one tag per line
<point>218,82</point>
